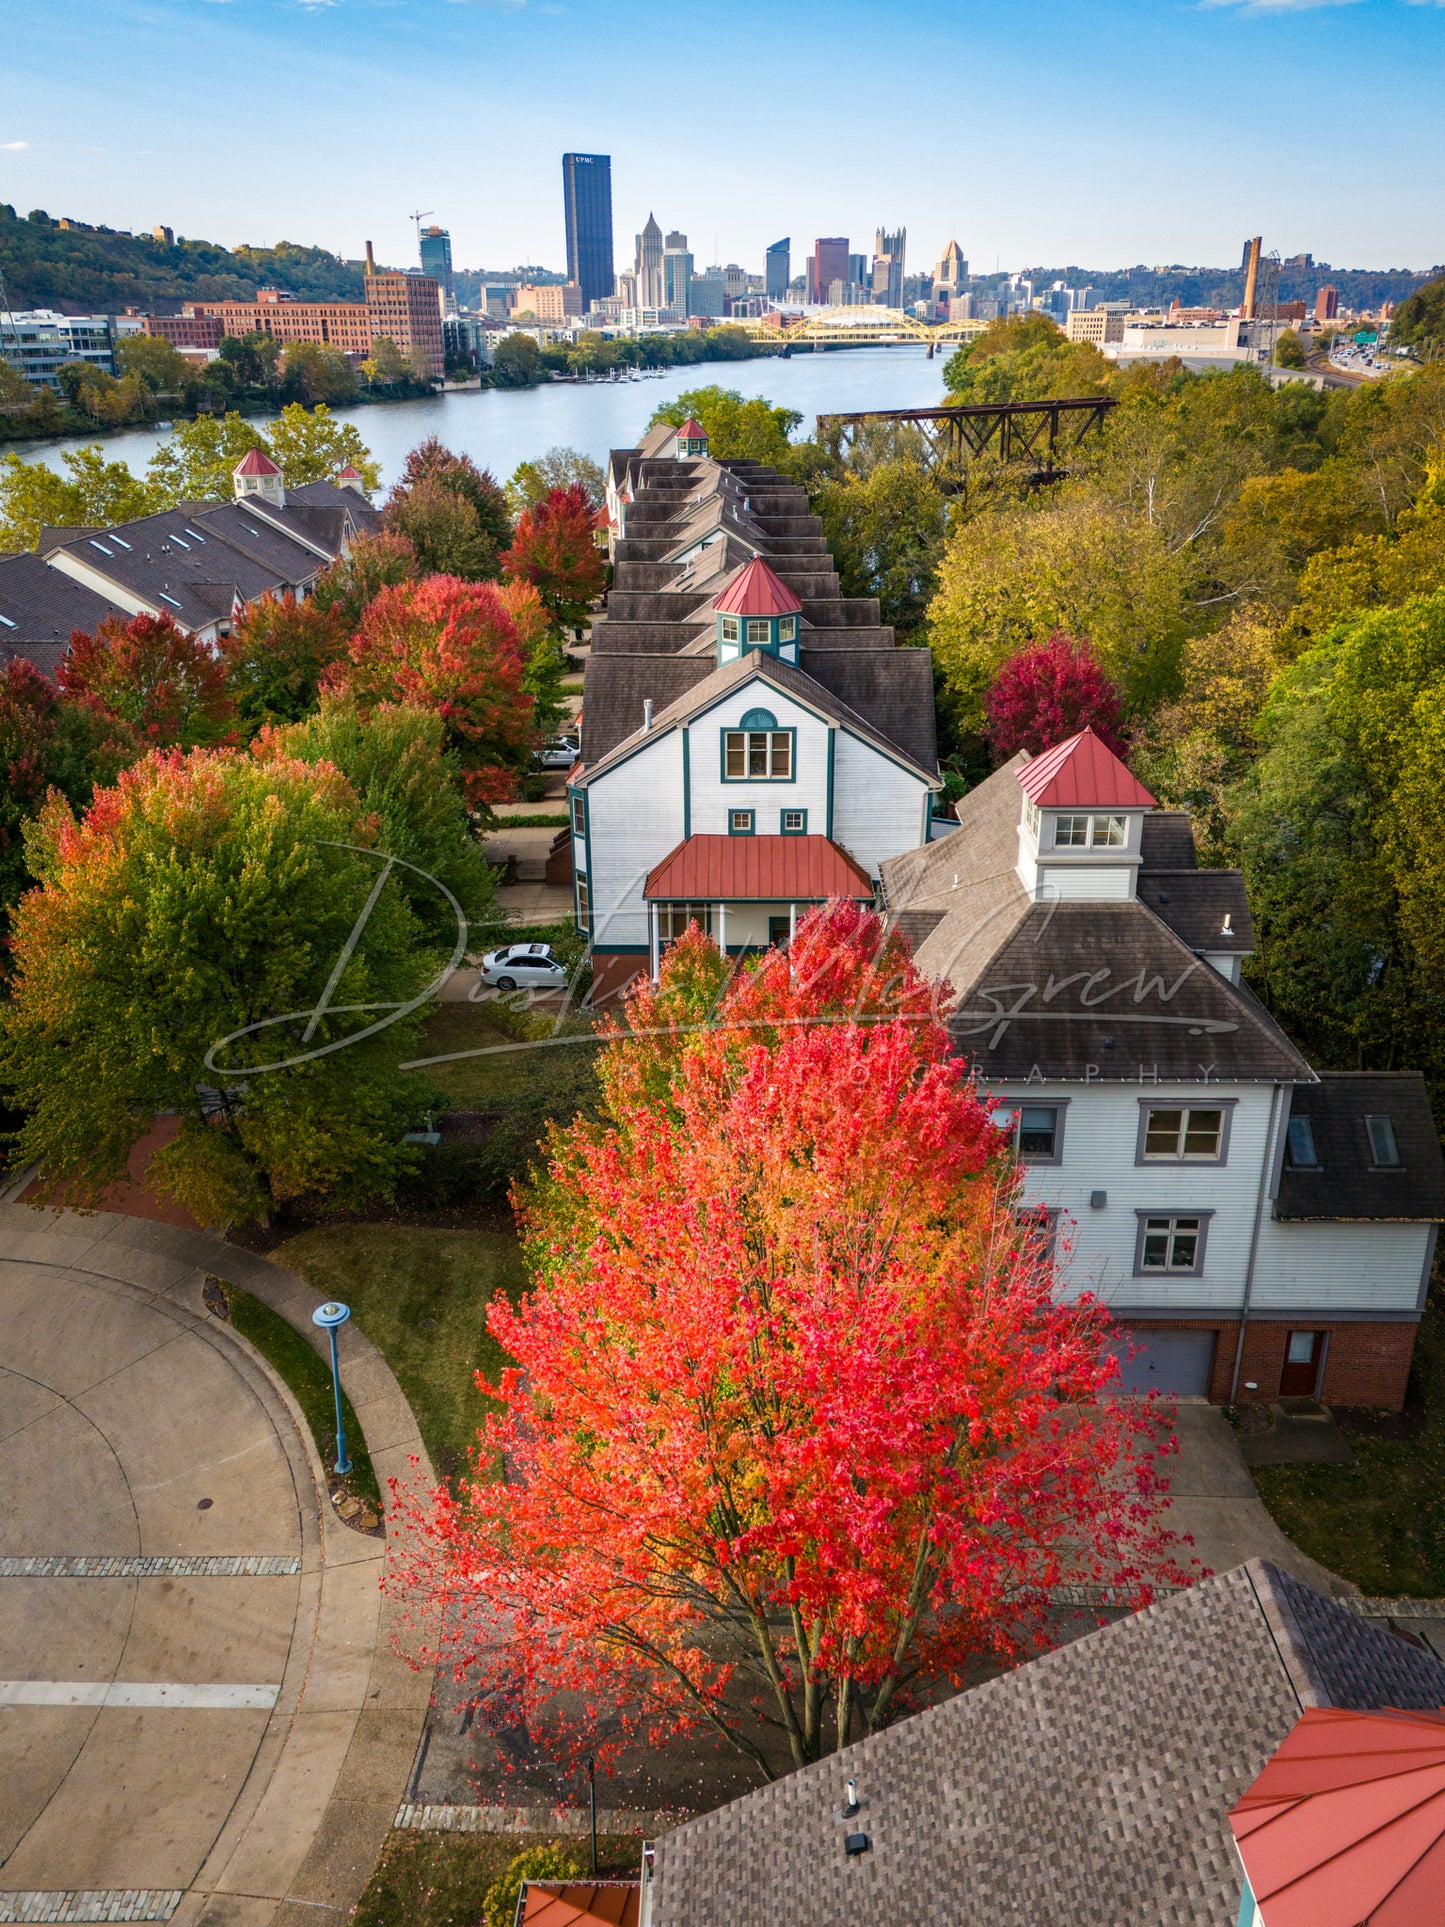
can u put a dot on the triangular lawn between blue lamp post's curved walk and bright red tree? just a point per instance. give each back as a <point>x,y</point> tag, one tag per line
<point>421,1296</point>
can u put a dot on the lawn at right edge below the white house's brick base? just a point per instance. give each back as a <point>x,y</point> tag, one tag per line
<point>1380,1521</point>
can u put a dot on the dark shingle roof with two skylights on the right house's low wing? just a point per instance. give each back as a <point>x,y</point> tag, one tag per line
<point>1348,1182</point>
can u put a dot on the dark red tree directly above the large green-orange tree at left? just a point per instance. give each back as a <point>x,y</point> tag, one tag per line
<point>153,677</point>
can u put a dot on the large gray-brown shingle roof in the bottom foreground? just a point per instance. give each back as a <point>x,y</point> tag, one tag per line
<point>1086,1789</point>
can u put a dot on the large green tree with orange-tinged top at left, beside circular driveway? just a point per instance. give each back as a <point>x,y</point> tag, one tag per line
<point>194,907</point>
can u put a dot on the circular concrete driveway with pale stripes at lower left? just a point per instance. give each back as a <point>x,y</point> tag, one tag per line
<point>199,1712</point>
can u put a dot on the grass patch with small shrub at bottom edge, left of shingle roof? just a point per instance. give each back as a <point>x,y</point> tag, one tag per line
<point>442,1880</point>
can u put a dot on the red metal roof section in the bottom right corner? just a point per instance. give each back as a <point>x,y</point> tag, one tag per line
<point>1346,1828</point>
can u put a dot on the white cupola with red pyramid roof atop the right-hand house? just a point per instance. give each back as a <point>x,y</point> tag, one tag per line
<point>1082,824</point>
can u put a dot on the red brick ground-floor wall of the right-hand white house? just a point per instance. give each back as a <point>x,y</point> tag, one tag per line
<point>1365,1363</point>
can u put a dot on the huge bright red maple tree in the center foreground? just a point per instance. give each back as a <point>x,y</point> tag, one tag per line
<point>797,1425</point>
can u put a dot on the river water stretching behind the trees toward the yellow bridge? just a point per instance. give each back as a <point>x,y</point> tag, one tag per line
<point>502,429</point>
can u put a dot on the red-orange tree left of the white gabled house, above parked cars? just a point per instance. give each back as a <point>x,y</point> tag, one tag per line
<point>448,647</point>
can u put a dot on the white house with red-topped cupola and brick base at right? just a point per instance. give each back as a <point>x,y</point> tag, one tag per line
<point>1261,1228</point>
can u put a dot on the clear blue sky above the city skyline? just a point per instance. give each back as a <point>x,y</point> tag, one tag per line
<point>1097,132</point>
